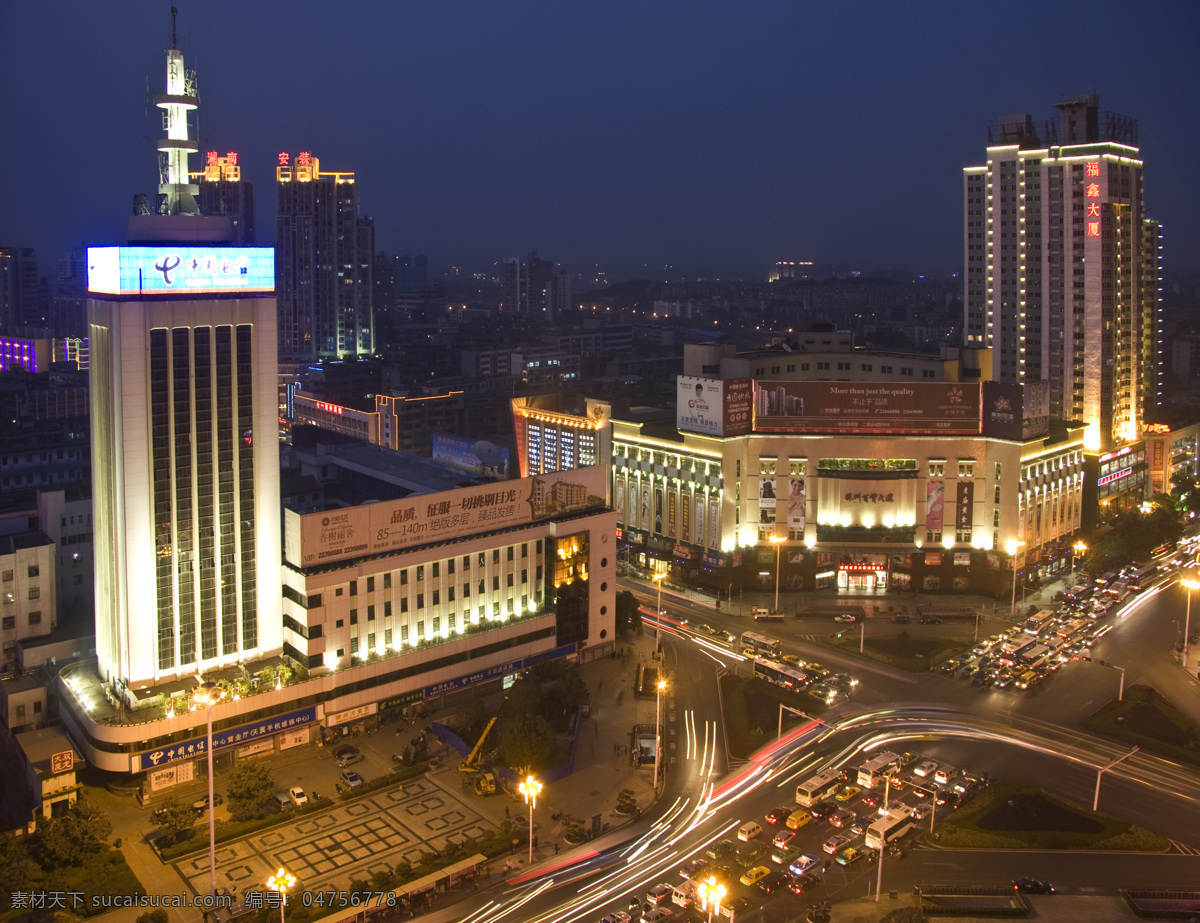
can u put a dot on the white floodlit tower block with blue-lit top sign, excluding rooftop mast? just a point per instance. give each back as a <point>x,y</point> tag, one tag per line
<point>185,468</point>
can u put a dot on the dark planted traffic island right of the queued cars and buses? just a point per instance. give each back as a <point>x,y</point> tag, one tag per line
<point>1018,817</point>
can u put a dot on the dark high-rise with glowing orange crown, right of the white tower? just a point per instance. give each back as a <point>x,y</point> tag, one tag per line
<point>325,262</point>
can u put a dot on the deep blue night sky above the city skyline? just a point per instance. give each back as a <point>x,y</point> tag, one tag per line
<point>650,139</point>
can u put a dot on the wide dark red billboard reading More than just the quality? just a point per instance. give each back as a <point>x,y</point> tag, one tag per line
<point>883,407</point>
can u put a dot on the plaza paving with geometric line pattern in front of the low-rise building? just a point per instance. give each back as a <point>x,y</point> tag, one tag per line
<point>351,841</point>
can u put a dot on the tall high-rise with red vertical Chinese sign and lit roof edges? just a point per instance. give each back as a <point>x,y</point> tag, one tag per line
<point>1061,267</point>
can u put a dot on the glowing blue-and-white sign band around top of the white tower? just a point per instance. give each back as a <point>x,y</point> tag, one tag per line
<point>183,271</point>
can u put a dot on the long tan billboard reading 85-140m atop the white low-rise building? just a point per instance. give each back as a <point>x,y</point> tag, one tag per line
<point>321,538</point>
